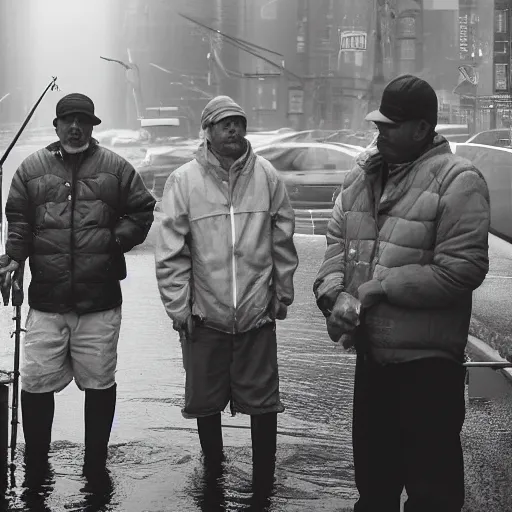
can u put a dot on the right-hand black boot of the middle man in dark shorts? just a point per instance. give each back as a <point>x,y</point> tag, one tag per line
<point>264,440</point>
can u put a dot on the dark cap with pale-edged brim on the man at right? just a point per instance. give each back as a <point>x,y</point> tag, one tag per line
<point>406,98</point>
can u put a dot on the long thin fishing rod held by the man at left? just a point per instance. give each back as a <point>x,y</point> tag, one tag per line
<point>17,288</point>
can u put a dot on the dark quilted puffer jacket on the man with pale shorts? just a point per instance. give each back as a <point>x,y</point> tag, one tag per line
<point>74,217</point>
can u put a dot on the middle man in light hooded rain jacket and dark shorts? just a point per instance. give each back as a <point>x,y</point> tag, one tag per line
<point>225,261</point>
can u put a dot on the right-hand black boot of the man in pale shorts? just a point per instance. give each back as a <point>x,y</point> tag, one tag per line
<point>100,405</point>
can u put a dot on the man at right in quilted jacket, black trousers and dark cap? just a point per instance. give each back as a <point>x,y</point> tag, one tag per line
<point>406,247</point>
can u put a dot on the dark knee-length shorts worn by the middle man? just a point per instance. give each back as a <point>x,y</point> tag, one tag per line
<point>238,368</point>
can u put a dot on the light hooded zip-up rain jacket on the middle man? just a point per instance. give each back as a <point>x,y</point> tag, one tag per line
<point>225,250</point>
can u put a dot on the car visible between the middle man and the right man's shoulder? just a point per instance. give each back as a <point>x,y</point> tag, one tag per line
<point>312,171</point>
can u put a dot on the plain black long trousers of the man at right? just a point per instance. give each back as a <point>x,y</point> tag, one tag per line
<point>406,433</point>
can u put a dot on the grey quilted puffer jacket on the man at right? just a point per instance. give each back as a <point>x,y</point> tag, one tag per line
<point>423,239</point>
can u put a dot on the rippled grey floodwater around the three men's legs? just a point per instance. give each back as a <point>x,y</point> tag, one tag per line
<point>155,457</point>
